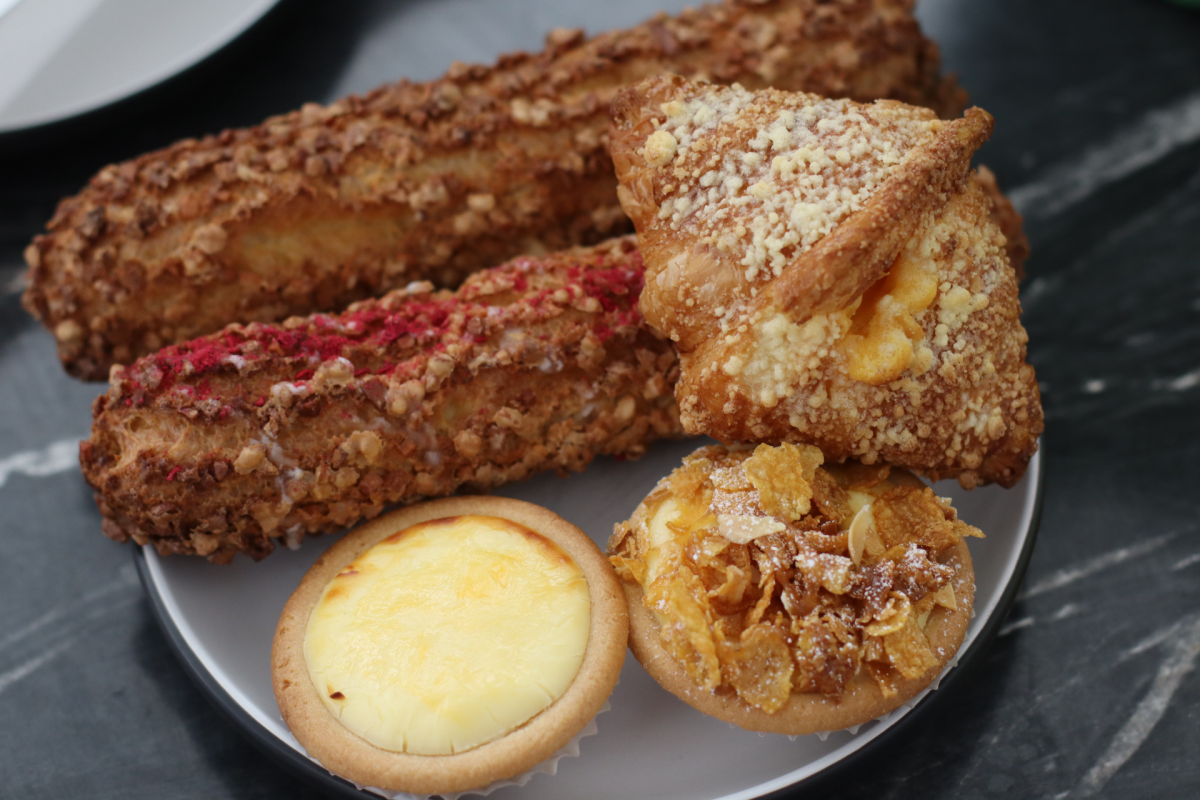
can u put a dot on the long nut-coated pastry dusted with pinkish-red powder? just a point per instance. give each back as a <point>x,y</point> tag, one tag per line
<point>225,444</point>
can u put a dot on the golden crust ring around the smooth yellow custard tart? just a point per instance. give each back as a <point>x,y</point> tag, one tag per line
<point>350,756</point>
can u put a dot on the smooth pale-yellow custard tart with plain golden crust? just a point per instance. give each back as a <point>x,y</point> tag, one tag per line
<point>448,646</point>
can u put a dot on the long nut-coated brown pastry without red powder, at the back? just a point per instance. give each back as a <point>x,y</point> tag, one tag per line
<point>323,207</point>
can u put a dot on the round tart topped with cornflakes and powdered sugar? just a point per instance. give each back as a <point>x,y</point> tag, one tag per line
<point>788,597</point>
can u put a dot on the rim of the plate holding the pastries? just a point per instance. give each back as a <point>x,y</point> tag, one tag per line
<point>779,789</point>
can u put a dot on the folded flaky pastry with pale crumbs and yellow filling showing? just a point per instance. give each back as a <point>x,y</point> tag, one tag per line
<point>832,275</point>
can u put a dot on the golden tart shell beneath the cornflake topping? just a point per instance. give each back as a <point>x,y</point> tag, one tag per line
<point>808,713</point>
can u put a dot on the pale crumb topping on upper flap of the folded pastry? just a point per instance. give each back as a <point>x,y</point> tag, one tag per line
<point>784,169</point>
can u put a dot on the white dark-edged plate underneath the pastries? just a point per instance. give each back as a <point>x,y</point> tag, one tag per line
<point>651,745</point>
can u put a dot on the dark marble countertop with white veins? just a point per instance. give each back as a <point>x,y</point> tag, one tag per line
<point>1090,689</point>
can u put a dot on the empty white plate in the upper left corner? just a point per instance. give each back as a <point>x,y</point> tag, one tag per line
<point>63,58</point>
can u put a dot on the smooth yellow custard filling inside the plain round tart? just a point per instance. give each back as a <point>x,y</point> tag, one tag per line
<point>449,635</point>
